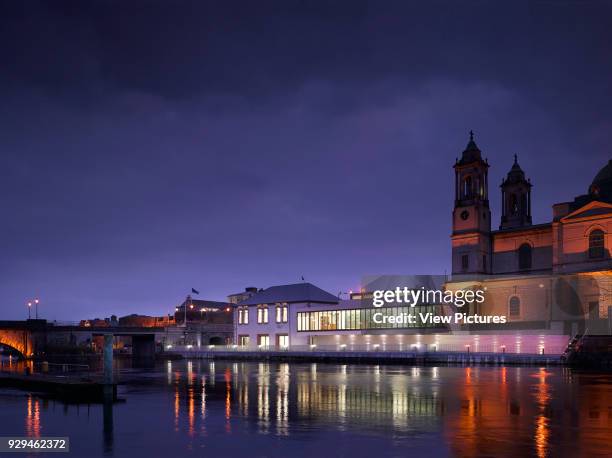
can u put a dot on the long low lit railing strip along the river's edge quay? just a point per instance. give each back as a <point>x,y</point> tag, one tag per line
<point>422,348</point>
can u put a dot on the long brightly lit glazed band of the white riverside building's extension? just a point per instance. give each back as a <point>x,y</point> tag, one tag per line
<point>366,318</point>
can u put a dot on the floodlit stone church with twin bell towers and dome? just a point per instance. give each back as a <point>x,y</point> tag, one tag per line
<point>552,277</point>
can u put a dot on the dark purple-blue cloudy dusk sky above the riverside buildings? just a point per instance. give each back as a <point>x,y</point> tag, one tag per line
<point>151,147</point>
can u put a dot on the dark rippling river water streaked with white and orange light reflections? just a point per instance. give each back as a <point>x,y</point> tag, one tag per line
<point>227,409</point>
